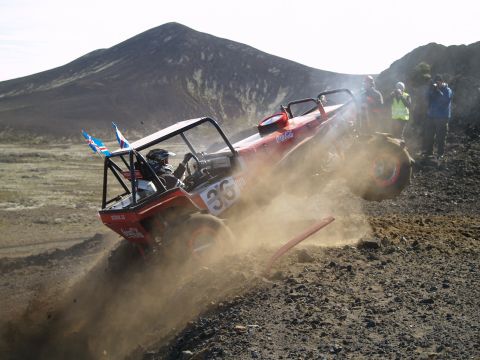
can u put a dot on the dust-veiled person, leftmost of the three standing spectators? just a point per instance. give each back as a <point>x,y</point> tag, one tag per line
<point>371,105</point>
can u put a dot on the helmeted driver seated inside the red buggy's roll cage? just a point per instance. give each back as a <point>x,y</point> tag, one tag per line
<point>158,160</point>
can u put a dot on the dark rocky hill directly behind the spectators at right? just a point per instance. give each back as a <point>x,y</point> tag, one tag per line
<point>460,67</point>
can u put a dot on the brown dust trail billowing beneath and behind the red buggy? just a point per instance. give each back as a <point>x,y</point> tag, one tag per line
<point>110,316</point>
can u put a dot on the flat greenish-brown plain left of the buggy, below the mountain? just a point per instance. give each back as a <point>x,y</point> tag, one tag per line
<point>48,198</point>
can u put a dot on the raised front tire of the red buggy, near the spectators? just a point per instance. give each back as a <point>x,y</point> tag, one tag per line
<point>379,168</point>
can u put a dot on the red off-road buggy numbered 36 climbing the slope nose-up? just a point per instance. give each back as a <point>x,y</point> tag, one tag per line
<point>222,178</point>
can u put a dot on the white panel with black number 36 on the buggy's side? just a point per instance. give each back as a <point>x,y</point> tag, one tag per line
<point>220,195</point>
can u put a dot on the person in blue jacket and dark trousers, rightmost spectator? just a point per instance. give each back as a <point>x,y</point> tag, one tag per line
<point>439,100</point>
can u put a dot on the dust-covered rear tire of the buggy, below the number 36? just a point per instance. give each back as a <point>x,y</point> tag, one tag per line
<point>200,237</point>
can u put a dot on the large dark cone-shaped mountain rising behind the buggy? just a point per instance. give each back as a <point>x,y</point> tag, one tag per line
<point>164,75</point>
